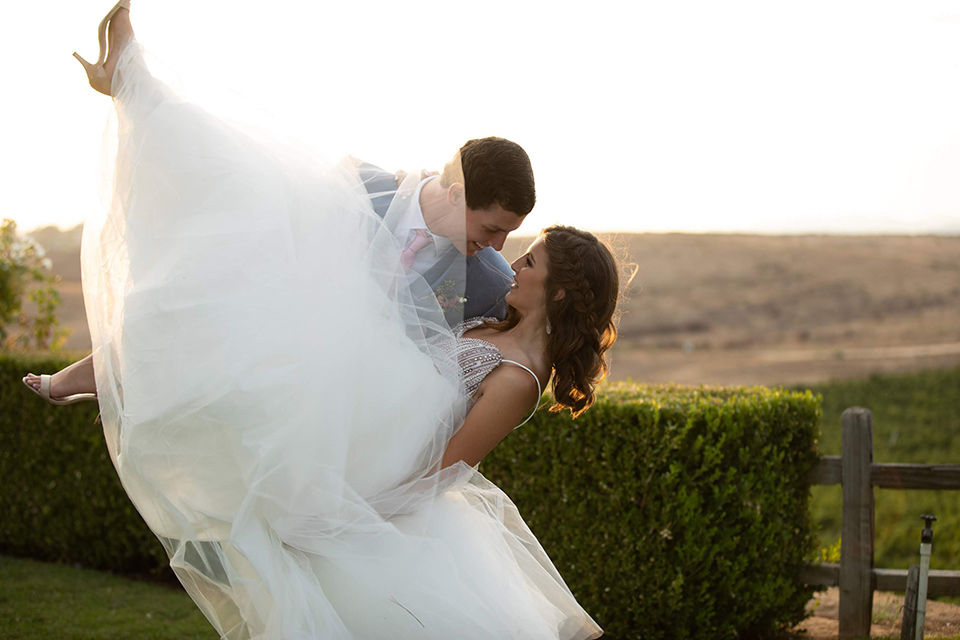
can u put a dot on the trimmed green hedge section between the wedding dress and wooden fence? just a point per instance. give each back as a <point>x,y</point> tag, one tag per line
<point>673,512</point>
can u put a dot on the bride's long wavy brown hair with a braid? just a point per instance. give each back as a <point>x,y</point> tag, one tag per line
<point>582,321</point>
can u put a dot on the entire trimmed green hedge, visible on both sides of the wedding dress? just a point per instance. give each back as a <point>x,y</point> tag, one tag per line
<point>672,512</point>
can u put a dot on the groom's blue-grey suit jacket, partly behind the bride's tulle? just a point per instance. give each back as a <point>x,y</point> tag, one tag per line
<point>488,274</point>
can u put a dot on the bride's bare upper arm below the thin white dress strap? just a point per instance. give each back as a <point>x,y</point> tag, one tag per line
<point>504,399</point>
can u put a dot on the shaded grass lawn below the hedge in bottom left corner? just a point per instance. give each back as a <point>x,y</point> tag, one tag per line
<point>39,600</point>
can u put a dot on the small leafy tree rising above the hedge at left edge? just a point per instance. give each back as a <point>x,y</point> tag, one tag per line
<point>25,272</point>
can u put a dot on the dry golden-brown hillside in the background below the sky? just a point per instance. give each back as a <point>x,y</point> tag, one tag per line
<point>741,309</point>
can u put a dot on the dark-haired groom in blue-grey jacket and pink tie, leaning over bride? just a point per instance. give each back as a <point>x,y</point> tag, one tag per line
<point>483,194</point>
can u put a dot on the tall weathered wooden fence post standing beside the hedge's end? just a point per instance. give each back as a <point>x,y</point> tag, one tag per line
<point>856,547</point>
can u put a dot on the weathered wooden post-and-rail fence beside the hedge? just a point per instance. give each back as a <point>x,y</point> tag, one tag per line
<point>856,471</point>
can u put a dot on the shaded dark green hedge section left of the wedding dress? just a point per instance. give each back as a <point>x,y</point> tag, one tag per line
<point>60,498</point>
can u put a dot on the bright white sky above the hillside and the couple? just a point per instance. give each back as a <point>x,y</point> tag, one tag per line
<point>767,116</point>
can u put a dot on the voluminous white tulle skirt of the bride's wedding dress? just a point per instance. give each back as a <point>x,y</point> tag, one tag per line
<point>277,394</point>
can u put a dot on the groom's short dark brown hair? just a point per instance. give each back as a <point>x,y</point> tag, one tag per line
<point>493,171</point>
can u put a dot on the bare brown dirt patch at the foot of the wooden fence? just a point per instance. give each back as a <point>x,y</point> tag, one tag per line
<point>942,619</point>
